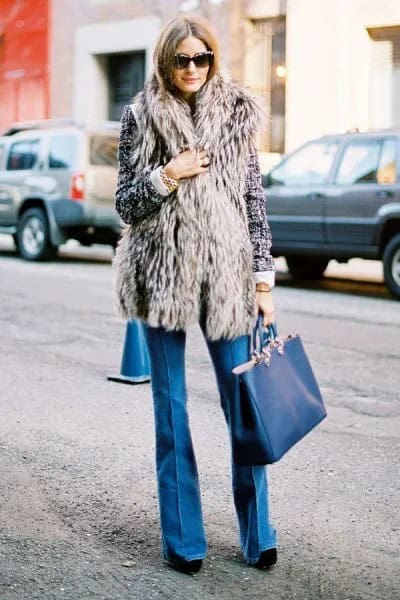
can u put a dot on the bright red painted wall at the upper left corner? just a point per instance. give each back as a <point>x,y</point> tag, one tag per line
<point>24,81</point>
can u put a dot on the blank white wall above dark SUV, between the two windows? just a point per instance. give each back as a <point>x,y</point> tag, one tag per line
<point>329,64</point>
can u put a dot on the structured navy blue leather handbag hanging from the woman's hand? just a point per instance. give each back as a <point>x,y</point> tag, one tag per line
<point>279,400</point>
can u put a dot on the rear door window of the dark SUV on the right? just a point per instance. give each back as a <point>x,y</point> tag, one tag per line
<point>359,163</point>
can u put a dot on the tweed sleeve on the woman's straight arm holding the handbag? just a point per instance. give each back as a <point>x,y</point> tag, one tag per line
<point>259,230</point>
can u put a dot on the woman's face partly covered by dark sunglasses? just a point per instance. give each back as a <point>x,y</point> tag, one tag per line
<point>190,79</point>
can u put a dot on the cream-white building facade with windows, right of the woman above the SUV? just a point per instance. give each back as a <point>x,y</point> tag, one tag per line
<point>321,66</point>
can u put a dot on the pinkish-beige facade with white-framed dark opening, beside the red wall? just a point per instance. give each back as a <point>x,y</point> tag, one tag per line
<point>103,49</point>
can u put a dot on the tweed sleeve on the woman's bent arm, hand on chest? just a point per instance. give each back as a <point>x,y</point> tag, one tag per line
<point>136,195</point>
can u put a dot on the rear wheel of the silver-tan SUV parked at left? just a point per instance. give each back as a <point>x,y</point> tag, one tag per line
<point>33,236</point>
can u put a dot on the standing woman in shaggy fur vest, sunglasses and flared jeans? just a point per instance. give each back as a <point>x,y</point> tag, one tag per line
<point>196,250</point>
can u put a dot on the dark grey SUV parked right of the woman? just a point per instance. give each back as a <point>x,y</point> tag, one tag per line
<point>338,197</point>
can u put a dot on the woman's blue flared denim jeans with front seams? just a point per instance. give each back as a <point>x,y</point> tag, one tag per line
<point>182,528</point>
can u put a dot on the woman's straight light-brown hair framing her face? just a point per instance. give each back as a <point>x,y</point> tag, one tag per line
<point>171,36</point>
